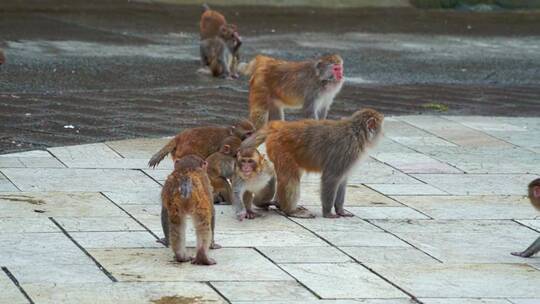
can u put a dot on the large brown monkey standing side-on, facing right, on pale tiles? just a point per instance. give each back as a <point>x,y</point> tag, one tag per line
<point>331,147</point>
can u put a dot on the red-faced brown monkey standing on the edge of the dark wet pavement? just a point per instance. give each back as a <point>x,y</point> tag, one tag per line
<point>278,84</point>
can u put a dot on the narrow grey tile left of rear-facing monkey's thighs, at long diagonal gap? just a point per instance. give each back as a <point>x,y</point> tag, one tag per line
<point>93,224</point>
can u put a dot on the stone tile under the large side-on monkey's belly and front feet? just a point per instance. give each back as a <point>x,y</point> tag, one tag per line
<point>356,195</point>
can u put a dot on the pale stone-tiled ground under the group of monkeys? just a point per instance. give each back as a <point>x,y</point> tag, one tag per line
<point>438,207</point>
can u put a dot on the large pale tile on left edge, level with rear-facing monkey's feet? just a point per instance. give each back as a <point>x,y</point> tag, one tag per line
<point>25,249</point>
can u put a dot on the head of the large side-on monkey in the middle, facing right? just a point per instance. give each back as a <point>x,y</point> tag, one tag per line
<point>368,122</point>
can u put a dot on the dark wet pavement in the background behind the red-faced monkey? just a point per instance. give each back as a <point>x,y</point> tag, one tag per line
<point>82,73</point>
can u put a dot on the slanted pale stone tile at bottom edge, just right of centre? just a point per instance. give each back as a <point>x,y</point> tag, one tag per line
<point>348,280</point>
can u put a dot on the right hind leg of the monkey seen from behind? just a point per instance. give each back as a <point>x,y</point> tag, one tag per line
<point>203,230</point>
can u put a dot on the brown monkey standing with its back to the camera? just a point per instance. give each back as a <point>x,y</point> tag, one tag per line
<point>187,191</point>
